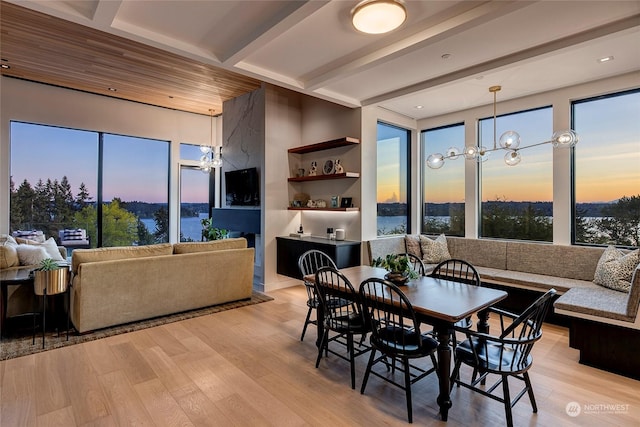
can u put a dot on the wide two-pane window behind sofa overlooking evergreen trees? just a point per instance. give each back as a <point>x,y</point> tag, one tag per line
<point>115,187</point>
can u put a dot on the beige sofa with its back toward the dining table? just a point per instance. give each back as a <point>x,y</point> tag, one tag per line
<point>118,285</point>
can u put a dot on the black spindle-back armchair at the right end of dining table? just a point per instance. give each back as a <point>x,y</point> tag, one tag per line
<point>506,355</point>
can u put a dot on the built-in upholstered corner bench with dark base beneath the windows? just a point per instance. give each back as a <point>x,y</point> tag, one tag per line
<point>604,324</point>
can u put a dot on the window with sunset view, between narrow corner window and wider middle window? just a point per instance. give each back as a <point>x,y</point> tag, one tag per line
<point>443,189</point>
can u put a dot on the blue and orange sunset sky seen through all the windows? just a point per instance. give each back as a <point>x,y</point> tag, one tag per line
<point>137,169</point>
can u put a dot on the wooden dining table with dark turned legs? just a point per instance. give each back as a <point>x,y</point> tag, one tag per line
<point>440,303</point>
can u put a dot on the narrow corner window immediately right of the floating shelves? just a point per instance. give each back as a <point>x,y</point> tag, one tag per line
<point>393,180</point>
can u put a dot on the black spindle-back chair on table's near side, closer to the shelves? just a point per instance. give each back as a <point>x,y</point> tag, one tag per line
<point>346,320</point>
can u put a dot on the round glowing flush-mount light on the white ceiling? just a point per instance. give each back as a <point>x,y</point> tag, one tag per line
<point>378,16</point>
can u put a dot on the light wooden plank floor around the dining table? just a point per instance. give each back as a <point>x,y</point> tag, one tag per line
<point>248,367</point>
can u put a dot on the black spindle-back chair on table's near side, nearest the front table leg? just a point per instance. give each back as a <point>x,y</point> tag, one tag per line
<point>396,335</point>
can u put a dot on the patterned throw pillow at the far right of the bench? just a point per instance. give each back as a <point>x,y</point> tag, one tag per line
<point>615,269</point>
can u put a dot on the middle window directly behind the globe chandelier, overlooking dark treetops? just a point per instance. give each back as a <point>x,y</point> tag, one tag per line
<point>517,200</point>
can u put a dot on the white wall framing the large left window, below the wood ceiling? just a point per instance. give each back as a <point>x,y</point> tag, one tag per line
<point>43,104</point>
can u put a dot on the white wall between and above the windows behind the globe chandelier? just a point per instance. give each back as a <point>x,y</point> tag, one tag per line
<point>560,100</point>
